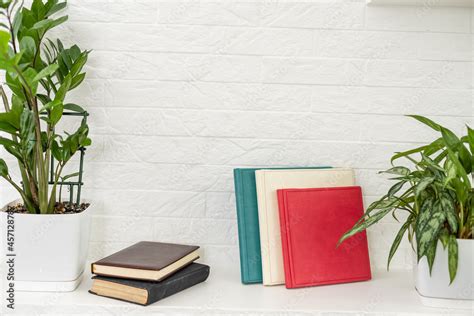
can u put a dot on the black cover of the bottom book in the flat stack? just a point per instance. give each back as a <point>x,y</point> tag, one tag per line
<point>187,277</point>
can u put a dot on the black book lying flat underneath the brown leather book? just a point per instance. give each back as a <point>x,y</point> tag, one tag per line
<point>146,292</point>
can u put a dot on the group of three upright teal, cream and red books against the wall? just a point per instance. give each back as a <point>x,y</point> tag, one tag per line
<point>290,222</point>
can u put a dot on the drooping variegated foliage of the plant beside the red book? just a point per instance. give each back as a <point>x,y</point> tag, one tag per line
<point>436,194</point>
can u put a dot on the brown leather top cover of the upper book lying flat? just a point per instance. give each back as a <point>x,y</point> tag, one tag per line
<point>147,255</point>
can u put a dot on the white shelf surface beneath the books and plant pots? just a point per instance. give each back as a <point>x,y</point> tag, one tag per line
<point>388,293</point>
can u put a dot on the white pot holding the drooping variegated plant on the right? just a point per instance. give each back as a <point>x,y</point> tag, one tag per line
<point>437,285</point>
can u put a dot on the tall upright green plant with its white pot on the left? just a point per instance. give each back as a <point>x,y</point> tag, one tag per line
<point>48,237</point>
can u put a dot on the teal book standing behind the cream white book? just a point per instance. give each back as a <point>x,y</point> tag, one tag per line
<point>247,221</point>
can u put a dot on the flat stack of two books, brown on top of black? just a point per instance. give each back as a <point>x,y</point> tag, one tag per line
<point>147,272</point>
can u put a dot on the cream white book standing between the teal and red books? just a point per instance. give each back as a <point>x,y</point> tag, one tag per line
<point>268,182</point>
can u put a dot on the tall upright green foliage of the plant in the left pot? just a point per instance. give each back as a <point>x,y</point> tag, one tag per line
<point>39,73</point>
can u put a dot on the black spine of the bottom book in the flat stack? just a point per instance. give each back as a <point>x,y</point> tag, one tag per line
<point>165,289</point>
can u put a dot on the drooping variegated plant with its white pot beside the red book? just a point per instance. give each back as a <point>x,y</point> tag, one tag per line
<point>435,192</point>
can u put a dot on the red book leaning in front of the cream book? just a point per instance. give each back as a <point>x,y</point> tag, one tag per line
<point>312,222</point>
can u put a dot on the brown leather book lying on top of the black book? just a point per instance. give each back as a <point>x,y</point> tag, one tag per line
<point>146,260</point>
